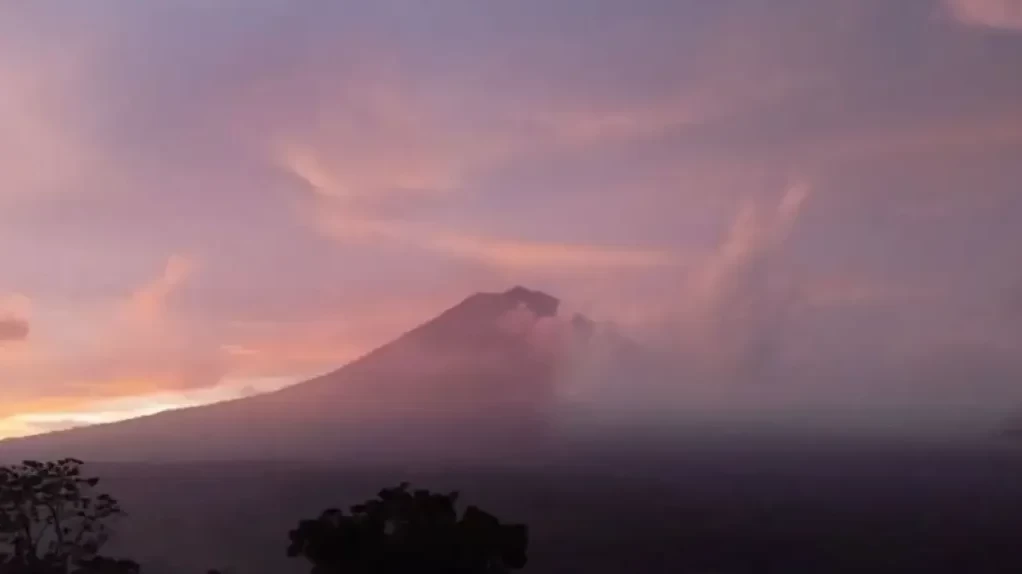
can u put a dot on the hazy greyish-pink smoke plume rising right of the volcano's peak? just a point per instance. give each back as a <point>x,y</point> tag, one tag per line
<point>742,346</point>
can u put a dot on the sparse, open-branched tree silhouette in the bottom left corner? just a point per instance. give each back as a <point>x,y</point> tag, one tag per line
<point>53,522</point>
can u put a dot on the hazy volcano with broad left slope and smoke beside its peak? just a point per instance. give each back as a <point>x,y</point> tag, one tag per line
<point>477,380</point>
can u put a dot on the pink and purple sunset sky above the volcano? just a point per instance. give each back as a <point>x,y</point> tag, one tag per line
<point>202,201</point>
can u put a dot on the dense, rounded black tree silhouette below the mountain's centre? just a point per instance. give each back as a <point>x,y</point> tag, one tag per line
<point>410,533</point>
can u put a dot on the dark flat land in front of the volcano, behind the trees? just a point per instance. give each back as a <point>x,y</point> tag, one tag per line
<point>727,509</point>
